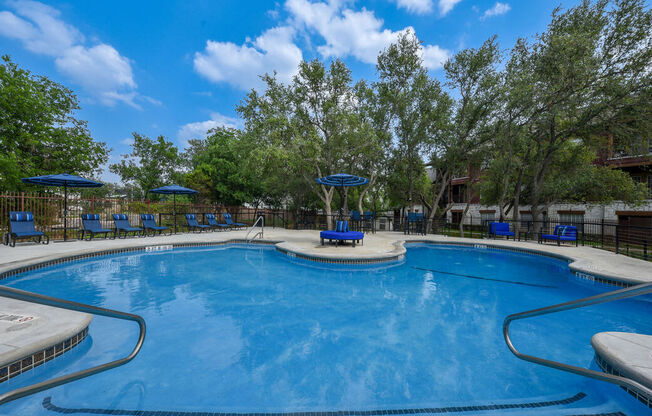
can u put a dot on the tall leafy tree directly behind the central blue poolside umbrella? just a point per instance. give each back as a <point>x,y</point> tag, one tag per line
<point>314,122</point>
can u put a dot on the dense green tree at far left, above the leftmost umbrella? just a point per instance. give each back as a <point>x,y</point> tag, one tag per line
<point>39,133</point>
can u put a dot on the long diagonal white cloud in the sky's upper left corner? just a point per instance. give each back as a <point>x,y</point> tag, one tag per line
<point>98,69</point>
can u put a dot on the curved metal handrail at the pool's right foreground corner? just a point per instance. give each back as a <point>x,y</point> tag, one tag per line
<point>629,292</point>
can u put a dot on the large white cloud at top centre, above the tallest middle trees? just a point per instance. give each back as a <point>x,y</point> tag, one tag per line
<point>352,33</point>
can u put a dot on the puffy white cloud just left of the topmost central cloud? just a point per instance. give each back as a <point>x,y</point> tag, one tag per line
<point>242,65</point>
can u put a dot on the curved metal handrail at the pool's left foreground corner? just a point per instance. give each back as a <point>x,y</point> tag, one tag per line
<point>73,306</point>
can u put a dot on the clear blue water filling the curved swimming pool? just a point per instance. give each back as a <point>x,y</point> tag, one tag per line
<point>248,329</point>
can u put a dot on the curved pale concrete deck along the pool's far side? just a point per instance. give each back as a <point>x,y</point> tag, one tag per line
<point>587,263</point>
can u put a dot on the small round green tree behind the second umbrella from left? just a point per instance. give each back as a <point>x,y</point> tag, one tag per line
<point>151,163</point>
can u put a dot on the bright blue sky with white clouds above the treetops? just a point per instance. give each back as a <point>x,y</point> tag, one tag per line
<point>177,68</point>
